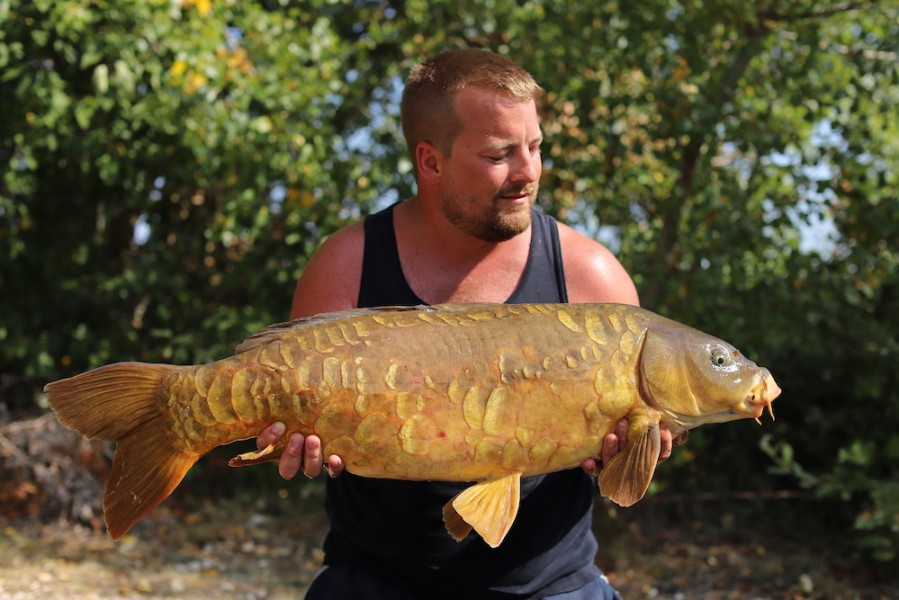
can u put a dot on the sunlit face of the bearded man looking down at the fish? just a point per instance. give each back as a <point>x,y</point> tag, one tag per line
<point>491,176</point>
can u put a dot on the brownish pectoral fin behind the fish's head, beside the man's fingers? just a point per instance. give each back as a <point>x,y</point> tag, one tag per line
<point>626,478</point>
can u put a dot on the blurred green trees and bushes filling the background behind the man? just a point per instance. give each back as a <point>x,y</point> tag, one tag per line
<point>168,166</point>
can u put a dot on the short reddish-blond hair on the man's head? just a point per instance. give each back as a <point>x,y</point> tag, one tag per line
<point>427,110</point>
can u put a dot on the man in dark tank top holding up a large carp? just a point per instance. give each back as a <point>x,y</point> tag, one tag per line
<point>470,234</point>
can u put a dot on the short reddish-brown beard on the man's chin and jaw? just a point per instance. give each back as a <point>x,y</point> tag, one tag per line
<point>493,223</point>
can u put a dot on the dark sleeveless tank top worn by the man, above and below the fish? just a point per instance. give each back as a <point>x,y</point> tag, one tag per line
<point>396,527</point>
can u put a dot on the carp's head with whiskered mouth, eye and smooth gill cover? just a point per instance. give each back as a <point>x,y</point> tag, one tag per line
<point>693,378</point>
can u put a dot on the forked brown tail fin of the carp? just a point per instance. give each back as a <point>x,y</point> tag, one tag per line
<point>123,403</point>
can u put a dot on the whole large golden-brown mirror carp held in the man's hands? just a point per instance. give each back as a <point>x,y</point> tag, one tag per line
<point>483,392</point>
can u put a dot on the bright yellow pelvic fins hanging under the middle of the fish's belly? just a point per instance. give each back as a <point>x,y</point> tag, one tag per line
<point>488,507</point>
